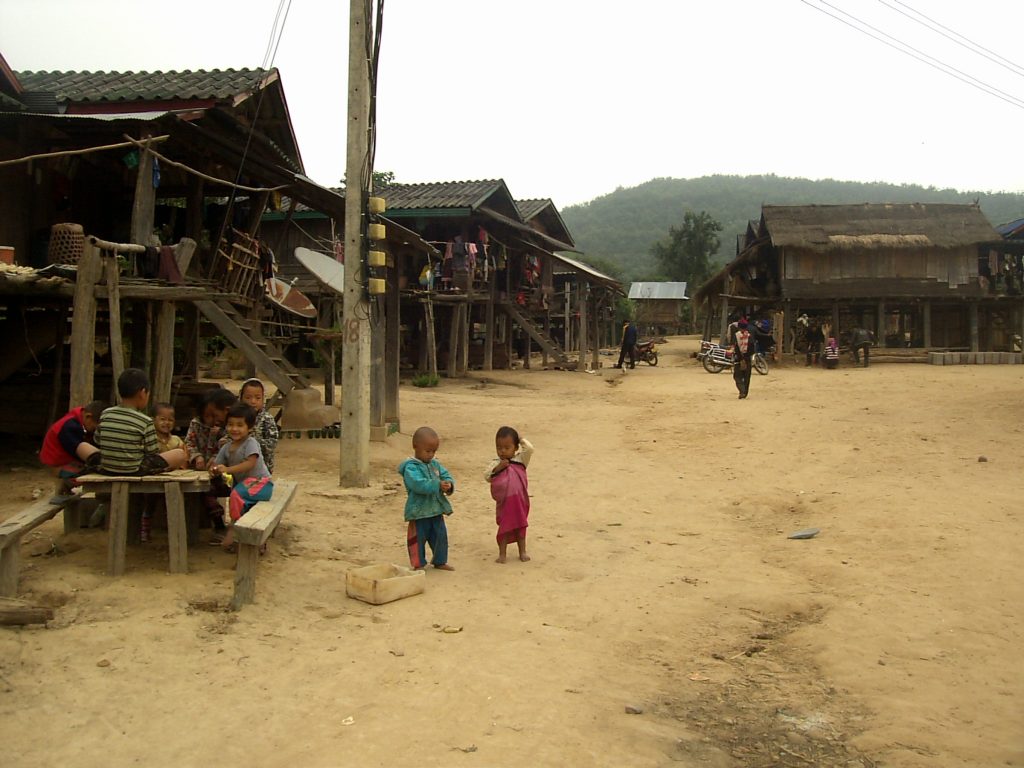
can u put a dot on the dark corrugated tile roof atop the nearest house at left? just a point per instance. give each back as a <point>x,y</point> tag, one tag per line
<point>145,87</point>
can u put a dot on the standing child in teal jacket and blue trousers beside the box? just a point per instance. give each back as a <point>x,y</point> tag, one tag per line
<point>428,487</point>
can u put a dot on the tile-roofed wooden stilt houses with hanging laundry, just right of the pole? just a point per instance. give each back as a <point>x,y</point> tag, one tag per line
<point>493,295</point>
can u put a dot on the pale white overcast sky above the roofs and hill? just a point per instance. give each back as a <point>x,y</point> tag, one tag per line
<point>571,99</point>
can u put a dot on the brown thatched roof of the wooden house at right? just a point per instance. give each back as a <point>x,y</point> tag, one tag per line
<point>877,226</point>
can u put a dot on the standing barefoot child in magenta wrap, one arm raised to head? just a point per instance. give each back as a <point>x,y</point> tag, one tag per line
<point>509,489</point>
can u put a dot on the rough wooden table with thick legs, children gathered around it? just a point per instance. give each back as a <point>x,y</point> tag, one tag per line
<point>174,486</point>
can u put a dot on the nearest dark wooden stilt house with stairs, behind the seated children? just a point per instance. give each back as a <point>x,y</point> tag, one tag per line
<point>185,161</point>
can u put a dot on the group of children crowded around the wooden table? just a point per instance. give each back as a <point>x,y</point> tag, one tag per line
<point>233,439</point>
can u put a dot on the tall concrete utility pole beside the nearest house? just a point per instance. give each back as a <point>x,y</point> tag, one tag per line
<point>356,313</point>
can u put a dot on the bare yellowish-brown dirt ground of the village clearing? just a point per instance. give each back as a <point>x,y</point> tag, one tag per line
<point>663,581</point>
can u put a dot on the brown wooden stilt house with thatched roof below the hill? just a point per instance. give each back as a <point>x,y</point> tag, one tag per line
<point>889,267</point>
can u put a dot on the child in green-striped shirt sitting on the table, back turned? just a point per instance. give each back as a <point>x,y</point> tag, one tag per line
<point>127,438</point>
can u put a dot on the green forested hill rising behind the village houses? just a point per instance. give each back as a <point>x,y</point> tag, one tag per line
<point>620,228</point>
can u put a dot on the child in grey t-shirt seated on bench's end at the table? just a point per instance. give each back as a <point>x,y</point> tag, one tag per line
<point>240,466</point>
